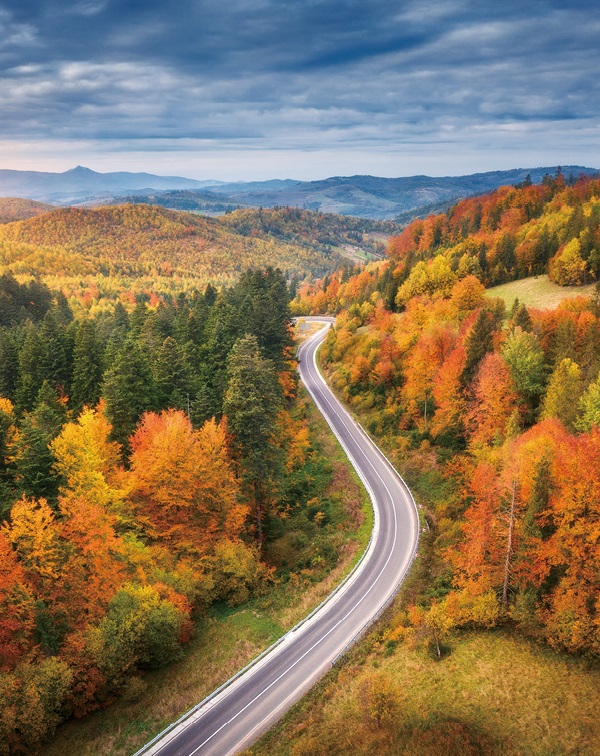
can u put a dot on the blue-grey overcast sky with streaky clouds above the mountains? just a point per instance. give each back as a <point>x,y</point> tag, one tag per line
<point>256,89</point>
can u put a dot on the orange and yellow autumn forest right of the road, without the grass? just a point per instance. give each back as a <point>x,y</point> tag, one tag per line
<point>492,415</point>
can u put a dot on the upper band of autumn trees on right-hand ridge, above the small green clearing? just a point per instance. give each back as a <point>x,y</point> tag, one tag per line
<point>509,234</point>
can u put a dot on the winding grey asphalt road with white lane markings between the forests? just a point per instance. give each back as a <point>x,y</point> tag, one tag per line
<point>233,717</point>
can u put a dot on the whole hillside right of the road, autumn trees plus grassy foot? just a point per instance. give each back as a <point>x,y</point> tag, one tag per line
<point>492,415</point>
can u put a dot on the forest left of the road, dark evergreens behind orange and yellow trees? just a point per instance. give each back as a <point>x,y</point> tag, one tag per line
<point>149,463</point>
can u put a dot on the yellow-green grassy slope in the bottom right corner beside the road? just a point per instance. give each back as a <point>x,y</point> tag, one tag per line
<point>494,693</point>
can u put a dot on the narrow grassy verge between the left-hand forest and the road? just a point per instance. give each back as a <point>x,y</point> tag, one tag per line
<point>227,639</point>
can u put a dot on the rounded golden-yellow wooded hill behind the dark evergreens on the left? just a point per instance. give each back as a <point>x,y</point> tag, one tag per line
<point>99,255</point>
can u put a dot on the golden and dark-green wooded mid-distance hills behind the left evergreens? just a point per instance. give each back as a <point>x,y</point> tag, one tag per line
<point>98,256</point>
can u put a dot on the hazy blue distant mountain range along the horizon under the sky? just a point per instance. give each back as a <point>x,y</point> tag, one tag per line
<point>361,196</point>
